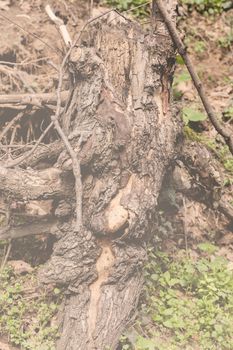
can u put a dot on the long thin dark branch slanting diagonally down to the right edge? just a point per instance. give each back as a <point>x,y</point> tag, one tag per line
<point>219,127</point>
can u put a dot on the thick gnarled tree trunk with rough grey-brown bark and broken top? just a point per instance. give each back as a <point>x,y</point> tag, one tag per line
<point>120,121</point>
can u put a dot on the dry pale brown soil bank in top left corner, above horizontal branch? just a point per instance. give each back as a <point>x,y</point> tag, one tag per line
<point>32,46</point>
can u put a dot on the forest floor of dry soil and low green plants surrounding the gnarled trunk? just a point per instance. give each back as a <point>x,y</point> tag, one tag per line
<point>187,302</point>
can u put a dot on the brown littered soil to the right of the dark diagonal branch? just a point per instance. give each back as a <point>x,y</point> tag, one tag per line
<point>213,61</point>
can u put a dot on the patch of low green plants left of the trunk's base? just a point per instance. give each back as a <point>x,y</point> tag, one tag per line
<point>26,320</point>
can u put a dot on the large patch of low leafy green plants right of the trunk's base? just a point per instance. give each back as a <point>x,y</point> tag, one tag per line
<point>187,304</point>
